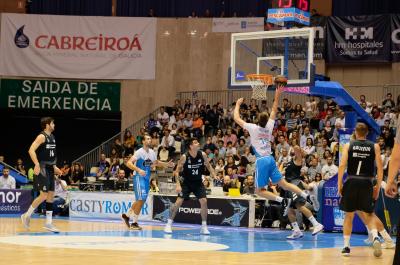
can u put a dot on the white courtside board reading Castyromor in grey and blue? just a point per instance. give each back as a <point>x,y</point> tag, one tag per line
<point>106,205</point>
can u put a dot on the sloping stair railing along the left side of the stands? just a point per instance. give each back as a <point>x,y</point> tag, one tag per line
<point>91,158</point>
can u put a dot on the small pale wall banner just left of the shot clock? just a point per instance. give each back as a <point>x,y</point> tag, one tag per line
<point>245,24</point>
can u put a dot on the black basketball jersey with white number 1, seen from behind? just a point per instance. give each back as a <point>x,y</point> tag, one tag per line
<point>361,161</point>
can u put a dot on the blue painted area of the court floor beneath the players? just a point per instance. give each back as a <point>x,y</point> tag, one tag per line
<point>241,240</point>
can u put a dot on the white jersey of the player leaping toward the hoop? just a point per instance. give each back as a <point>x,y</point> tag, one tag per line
<point>260,138</point>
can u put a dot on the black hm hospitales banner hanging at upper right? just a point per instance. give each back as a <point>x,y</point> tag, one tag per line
<point>358,39</point>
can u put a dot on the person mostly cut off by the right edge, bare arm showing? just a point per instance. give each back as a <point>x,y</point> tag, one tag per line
<point>391,187</point>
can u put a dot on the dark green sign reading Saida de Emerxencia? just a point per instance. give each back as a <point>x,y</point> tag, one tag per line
<point>60,95</point>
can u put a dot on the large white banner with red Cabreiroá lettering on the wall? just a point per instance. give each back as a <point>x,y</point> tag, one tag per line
<point>77,47</point>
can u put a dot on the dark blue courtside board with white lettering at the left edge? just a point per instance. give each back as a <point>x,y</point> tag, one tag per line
<point>15,201</point>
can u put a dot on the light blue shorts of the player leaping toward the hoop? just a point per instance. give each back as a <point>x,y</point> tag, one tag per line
<point>265,171</point>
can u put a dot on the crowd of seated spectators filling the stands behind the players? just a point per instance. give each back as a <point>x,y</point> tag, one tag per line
<point>314,127</point>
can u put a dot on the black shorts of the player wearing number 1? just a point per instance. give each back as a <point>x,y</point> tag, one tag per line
<point>357,195</point>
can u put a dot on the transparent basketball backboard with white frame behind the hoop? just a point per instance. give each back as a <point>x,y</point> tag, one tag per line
<point>287,52</point>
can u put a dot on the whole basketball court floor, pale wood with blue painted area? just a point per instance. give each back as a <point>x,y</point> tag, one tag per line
<point>99,242</point>
